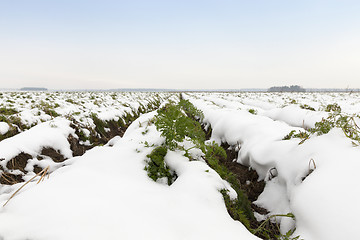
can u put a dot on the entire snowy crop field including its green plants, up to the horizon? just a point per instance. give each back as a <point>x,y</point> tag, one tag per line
<point>263,156</point>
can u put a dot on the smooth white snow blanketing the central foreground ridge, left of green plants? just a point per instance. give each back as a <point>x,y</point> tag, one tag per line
<point>106,194</point>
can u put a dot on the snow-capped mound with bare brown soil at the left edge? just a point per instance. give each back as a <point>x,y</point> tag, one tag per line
<point>23,154</point>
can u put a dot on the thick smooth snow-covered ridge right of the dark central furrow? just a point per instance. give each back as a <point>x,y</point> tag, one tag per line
<point>317,180</point>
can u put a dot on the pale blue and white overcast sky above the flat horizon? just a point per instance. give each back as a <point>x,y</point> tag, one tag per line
<point>71,44</point>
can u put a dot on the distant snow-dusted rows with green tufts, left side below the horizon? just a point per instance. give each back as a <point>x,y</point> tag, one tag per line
<point>23,110</point>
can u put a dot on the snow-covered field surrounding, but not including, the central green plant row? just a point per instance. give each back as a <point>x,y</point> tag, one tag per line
<point>105,193</point>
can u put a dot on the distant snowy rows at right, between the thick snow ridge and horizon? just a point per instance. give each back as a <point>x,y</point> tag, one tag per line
<point>286,107</point>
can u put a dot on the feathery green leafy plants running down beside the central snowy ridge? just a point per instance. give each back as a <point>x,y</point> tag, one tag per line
<point>180,122</point>
